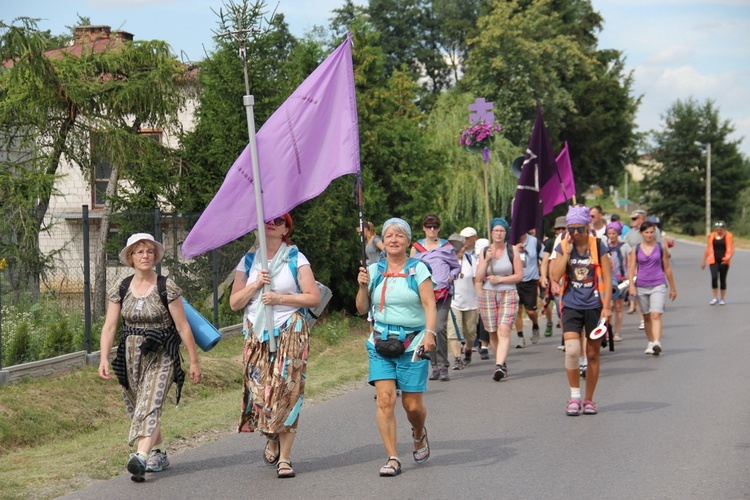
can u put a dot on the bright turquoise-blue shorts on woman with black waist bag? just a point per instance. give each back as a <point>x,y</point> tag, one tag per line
<point>410,376</point>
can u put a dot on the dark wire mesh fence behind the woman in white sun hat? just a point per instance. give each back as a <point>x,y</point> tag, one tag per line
<point>53,311</point>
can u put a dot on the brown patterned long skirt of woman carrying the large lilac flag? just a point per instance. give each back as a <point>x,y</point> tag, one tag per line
<point>274,387</point>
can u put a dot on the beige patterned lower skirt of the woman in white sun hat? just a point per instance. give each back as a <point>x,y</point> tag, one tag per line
<point>150,376</point>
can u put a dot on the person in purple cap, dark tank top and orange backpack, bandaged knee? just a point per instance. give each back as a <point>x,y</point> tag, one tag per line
<point>582,262</point>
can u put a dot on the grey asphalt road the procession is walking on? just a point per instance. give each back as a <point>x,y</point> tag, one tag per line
<point>670,427</point>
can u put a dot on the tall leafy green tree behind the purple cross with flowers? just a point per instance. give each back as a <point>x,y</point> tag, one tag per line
<point>545,50</point>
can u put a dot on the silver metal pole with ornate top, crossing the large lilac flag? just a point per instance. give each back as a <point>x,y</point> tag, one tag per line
<point>249,102</point>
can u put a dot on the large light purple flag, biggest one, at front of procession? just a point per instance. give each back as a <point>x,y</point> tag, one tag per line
<point>310,140</point>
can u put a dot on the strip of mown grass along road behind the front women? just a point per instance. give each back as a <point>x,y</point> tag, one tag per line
<point>82,418</point>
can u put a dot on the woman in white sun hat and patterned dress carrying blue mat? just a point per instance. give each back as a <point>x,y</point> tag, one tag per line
<point>148,355</point>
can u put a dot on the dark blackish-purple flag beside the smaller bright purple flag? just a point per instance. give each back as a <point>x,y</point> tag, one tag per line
<point>538,168</point>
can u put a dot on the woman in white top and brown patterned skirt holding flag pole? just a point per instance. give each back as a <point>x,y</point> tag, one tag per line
<point>274,384</point>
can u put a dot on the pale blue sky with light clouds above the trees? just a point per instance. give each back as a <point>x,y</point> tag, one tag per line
<point>676,49</point>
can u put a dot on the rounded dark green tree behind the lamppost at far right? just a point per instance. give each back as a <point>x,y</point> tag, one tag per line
<point>675,183</point>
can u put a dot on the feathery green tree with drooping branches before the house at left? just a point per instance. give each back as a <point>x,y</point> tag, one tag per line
<point>52,104</point>
